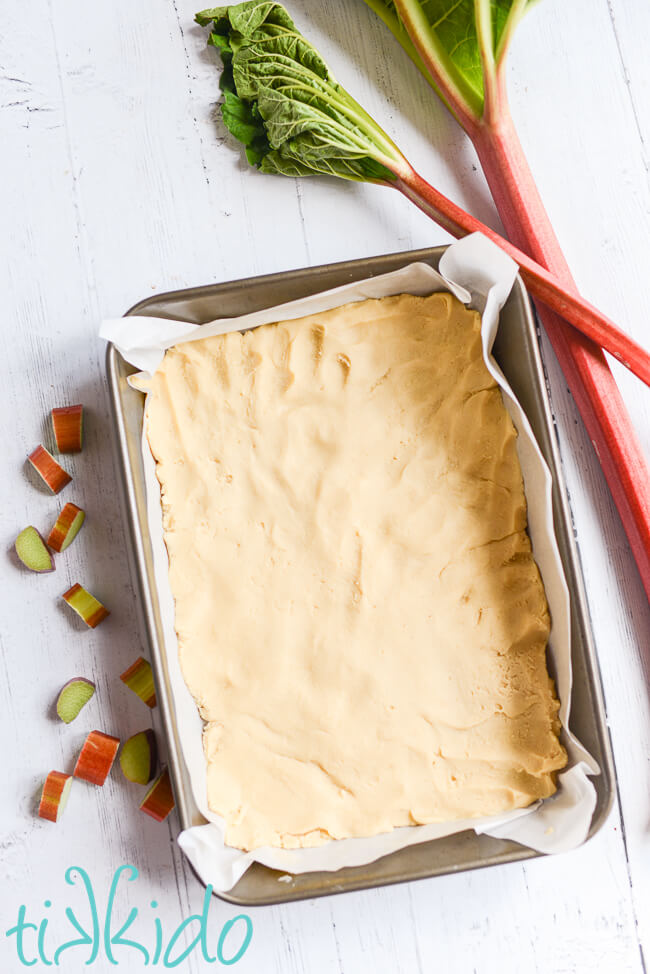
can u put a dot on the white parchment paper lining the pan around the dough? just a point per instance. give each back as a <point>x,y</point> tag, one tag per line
<point>477,272</point>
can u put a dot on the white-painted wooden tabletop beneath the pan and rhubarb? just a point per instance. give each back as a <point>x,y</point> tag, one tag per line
<point>115,183</point>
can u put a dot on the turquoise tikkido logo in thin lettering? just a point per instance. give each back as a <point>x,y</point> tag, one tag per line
<point>98,941</point>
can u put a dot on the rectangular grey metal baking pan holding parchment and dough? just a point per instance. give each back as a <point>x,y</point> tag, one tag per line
<point>517,352</point>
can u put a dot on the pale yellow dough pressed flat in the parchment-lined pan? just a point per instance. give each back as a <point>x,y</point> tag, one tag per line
<point>359,615</point>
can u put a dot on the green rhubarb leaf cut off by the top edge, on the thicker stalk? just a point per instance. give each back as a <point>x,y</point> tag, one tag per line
<point>456,44</point>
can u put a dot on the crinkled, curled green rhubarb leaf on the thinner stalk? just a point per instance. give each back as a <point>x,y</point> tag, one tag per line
<point>282,102</point>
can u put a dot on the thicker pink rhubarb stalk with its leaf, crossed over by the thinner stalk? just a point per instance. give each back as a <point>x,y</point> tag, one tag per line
<point>474,89</point>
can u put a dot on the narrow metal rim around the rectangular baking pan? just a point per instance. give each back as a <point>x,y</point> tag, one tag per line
<point>147,601</point>
